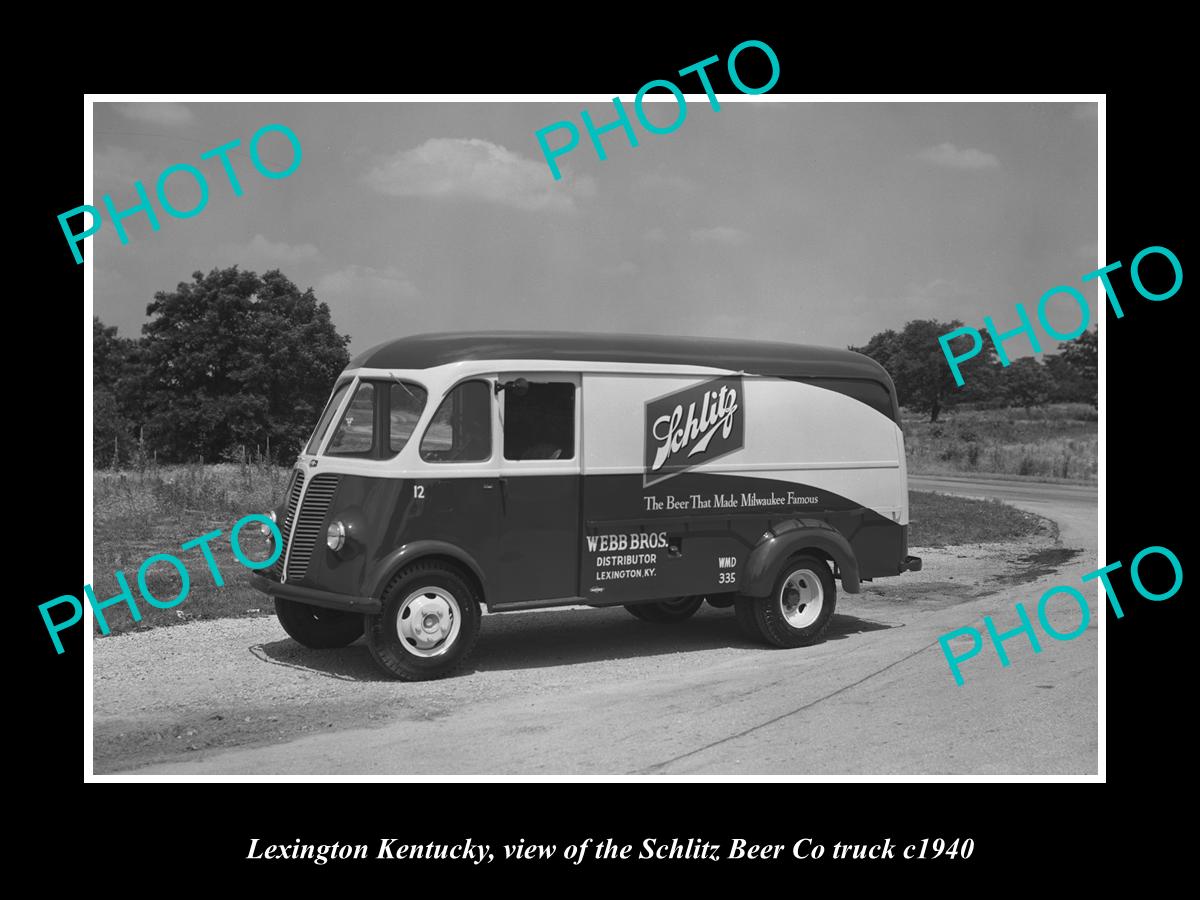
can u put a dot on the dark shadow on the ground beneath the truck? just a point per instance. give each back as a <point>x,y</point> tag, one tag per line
<point>544,640</point>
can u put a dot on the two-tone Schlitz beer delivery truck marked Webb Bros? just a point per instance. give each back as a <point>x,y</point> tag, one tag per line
<point>455,473</point>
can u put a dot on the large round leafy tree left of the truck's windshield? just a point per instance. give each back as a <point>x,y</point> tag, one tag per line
<point>235,358</point>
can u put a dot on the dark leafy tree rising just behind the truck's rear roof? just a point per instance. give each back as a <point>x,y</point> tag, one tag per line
<point>919,368</point>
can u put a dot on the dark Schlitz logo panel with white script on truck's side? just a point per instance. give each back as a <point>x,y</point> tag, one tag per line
<point>694,427</point>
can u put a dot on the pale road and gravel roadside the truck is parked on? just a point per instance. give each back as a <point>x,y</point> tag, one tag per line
<point>599,693</point>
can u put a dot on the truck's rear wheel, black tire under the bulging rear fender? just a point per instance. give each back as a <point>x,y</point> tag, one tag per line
<point>787,617</point>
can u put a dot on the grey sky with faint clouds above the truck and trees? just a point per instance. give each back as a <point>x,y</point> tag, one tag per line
<point>817,224</point>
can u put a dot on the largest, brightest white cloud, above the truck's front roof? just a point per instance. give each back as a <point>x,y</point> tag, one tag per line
<point>478,171</point>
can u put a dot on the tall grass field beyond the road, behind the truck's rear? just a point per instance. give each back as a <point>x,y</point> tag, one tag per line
<point>1054,443</point>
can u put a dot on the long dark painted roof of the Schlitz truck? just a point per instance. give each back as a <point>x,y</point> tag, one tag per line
<point>755,357</point>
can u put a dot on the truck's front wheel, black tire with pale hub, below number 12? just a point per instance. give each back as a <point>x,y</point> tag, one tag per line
<point>436,640</point>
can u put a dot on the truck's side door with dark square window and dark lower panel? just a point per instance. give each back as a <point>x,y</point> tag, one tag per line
<point>541,485</point>
